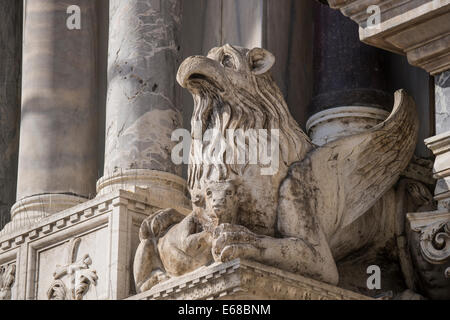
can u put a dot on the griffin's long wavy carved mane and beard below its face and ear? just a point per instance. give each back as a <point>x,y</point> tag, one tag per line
<point>265,108</point>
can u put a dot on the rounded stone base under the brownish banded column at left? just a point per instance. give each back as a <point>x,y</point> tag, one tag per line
<point>27,212</point>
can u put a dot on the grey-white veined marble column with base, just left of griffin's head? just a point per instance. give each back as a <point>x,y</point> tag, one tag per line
<point>143,99</point>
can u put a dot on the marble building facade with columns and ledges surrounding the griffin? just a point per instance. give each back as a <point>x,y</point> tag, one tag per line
<point>89,102</point>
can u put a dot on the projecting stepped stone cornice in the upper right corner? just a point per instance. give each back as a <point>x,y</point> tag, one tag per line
<point>418,28</point>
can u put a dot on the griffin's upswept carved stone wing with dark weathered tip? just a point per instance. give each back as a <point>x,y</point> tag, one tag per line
<point>347,176</point>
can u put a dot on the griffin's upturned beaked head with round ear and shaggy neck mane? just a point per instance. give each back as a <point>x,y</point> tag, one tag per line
<point>233,89</point>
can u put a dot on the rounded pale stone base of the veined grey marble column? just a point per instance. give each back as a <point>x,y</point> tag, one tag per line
<point>167,189</point>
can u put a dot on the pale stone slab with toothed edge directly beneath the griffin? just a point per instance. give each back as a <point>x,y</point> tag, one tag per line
<point>245,280</point>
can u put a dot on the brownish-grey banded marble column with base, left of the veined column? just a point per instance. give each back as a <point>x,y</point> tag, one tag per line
<point>58,142</point>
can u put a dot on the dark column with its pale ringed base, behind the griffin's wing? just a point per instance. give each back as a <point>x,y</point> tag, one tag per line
<point>350,85</point>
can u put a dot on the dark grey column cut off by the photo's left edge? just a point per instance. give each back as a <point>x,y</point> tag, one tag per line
<point>10,71</point>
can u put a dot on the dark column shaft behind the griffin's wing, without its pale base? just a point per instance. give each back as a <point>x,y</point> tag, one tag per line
<point>347,71</point>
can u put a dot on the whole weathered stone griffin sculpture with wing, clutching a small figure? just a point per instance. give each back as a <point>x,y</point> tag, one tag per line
<point>297,219</point>
